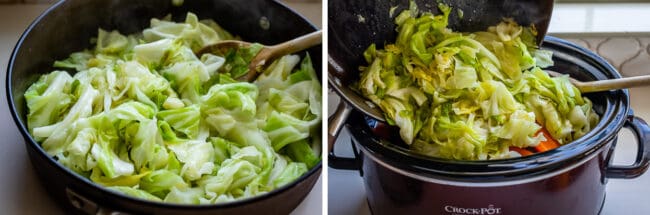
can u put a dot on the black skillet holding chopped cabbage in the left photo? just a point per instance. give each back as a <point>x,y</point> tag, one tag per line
<point>68,26</point>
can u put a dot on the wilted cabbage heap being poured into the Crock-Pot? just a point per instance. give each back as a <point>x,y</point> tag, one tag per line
<point>470,96</point>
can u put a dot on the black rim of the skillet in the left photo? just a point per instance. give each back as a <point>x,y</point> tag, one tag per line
<point>33,144</point>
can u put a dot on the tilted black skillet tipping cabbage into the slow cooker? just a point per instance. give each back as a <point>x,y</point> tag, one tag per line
<point>354,25</point>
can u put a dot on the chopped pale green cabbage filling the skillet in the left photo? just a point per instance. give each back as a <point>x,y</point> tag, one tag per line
<point>144,116</point>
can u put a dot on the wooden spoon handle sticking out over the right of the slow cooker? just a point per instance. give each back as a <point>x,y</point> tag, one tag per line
<point>605,85</point>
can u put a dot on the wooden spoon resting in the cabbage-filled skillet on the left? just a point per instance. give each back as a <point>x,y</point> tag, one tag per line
<point>267,53</point>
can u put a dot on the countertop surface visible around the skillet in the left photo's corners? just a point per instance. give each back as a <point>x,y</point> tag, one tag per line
<point>20,191</point>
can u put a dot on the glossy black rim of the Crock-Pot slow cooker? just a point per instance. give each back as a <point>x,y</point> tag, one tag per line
<point>613,118</point>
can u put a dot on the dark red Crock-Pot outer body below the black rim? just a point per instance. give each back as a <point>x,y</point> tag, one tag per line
<point>579,190</point>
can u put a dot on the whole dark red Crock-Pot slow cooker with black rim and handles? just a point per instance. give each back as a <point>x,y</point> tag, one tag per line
<point>568,180</point>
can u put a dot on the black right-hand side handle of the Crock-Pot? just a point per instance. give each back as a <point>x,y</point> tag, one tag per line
<point>642,133</point>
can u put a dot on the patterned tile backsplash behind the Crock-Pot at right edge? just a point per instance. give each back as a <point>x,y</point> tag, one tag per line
<point>629,54</point>
